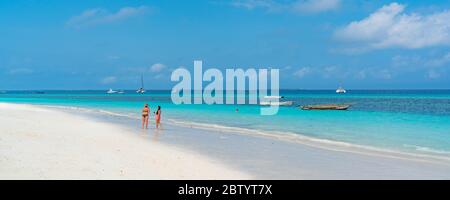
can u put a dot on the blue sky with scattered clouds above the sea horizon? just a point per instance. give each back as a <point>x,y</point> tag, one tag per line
<point>317,44</point>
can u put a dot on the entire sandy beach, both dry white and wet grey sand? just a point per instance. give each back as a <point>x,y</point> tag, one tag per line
<point>44,143</point>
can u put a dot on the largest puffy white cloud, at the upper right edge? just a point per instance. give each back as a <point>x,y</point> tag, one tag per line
<point>389,26</point>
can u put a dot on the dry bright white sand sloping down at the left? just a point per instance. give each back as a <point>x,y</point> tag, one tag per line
<point>40,143</point>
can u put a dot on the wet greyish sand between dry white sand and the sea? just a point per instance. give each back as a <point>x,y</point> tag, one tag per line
<point>261,157</point>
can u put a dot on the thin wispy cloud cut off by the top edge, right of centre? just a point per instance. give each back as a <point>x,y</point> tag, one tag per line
<point>296,6</point>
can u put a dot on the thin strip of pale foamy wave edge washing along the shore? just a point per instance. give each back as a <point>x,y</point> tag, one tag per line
<point>290,137</point>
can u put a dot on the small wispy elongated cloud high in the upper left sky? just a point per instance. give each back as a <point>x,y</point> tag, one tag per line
<point>98,16</point>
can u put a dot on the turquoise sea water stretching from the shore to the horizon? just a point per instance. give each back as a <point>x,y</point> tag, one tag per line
<point>415,121</point>
